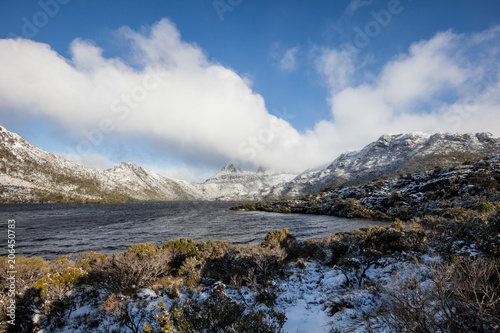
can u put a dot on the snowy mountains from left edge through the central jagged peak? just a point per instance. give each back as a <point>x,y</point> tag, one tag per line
<point>30,174</point>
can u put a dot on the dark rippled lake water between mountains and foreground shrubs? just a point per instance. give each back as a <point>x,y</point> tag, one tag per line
<point>50,230</point>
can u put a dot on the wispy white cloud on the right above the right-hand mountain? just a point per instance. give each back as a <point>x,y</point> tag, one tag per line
<point>426,89</point>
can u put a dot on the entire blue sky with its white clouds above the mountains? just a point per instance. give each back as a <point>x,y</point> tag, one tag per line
<point>184,87</point>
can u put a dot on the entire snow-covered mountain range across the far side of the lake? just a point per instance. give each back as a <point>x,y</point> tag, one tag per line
<point>30,174</point>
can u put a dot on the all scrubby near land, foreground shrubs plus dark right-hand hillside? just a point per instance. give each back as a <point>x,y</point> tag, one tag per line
<point>435,269</point>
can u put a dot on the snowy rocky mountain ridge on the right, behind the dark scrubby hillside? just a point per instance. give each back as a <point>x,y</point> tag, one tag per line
<point>392,155</point>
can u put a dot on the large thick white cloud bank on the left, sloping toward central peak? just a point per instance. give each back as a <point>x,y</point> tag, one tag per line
<point>171,94</point>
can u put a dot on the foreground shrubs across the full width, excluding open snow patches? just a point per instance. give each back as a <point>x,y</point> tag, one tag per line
<point>463,286</point>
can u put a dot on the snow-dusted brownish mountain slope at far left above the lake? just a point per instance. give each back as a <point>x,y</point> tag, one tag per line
<point>30,174</point>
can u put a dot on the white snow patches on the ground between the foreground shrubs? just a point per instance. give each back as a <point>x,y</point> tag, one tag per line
<point>314,299</point>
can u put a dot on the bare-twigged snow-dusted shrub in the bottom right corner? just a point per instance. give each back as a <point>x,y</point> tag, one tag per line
<point>460,295</point>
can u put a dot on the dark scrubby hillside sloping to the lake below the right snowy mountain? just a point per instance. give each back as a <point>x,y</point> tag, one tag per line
<point>443,192</point>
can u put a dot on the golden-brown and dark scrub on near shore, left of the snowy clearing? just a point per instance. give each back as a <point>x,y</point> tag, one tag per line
<point>112,282</point>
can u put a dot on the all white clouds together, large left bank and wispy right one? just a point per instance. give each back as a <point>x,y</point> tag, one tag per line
<point>208,114</point>
